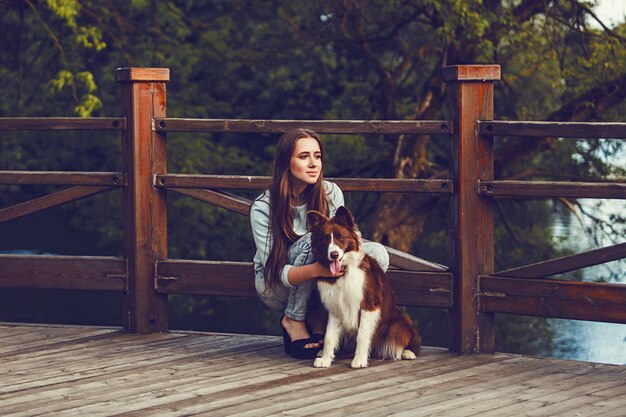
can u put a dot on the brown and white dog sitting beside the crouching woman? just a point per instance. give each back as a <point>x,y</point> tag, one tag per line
<point>361,303</point>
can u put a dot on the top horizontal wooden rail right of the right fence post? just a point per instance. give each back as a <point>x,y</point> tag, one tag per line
<point>552,129</point>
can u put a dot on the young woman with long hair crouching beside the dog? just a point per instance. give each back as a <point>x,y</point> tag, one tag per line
<point>285,272</point>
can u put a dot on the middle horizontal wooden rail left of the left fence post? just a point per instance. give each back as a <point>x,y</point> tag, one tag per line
<point>62,178</point>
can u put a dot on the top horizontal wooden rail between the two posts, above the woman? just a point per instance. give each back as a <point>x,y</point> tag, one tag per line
<point>355,127</point>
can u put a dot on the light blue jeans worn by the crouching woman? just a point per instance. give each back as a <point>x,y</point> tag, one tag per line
<point>295,302</point>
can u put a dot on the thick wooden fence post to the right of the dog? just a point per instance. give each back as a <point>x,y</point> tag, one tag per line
<point>471,222</point>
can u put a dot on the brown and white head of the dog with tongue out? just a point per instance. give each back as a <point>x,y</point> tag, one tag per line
<point>332,239</point>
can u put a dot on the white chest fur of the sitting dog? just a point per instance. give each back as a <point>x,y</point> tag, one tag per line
<point>343,298</point>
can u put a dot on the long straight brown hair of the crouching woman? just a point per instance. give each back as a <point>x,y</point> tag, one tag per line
<point>282,214</point>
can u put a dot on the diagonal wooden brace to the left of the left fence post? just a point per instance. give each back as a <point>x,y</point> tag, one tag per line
<point>50,200</point>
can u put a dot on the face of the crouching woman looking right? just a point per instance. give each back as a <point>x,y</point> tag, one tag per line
<point>306,163</point>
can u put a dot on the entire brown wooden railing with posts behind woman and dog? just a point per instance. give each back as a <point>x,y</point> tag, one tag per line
<point>469,288</point>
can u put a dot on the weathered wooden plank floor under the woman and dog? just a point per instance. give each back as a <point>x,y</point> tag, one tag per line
<point>85,371</point>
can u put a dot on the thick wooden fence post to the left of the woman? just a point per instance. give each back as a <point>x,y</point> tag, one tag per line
<point>145,217</point>
